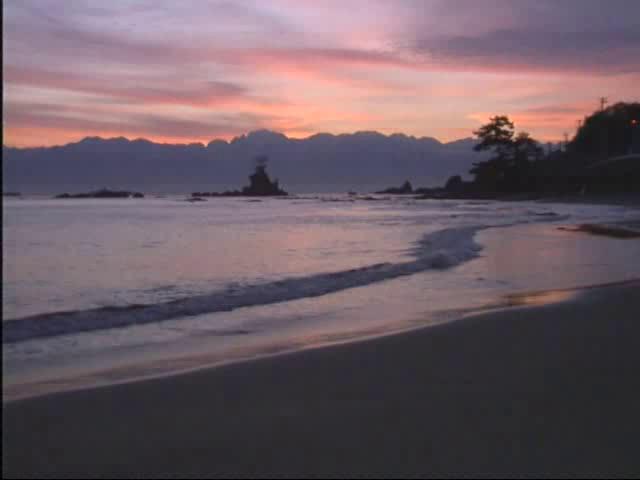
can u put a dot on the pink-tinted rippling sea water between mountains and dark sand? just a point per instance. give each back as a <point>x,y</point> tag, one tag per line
<point>99,291</point>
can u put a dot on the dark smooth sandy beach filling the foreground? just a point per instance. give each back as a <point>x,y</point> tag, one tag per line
<point>531,390</point>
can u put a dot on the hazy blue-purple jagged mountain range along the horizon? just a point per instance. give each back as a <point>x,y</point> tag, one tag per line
<point>364,161</point>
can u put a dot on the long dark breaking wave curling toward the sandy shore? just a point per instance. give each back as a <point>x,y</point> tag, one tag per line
<point>438,250</point>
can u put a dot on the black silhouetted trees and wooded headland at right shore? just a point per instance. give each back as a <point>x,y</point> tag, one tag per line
<point>602,157</point>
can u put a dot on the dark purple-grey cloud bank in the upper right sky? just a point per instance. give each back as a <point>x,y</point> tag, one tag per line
<point>572,36</point>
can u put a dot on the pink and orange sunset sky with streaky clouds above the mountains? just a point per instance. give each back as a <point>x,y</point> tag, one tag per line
<point>196,70</point>
